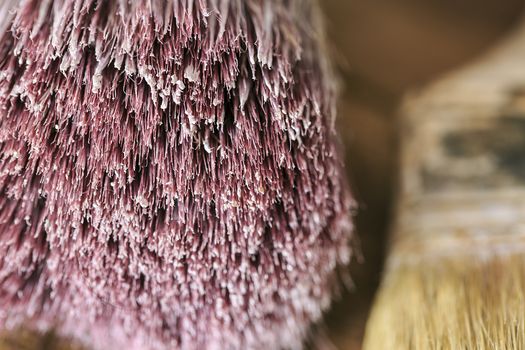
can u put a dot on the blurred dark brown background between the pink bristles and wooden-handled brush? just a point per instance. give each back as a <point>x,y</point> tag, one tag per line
<point>382,50</point>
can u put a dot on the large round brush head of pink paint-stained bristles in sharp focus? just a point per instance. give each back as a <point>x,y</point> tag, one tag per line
<point>168,172</point>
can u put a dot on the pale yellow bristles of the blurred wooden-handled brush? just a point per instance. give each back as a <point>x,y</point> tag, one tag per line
<point>461,302</point>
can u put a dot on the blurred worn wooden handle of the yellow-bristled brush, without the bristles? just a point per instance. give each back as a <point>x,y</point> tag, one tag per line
<point>463,159</point>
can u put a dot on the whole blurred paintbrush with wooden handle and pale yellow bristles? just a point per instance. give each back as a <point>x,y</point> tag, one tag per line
<point>455,275</point>
